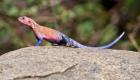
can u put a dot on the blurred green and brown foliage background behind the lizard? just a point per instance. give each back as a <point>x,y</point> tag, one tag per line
<point>90,22</point>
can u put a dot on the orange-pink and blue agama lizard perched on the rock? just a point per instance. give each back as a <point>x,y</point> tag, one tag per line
<point>44,33</point>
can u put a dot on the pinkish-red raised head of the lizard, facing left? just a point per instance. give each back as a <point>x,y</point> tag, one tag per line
<point>27,21</point>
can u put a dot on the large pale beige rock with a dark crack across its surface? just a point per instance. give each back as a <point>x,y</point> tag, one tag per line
<point>63,63</point>
